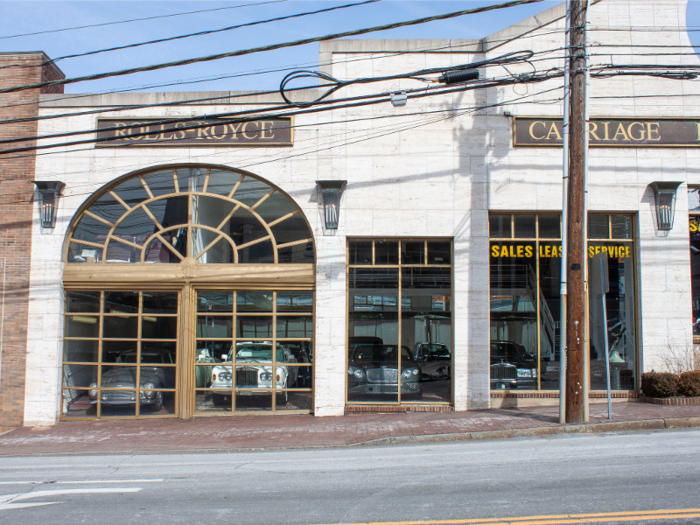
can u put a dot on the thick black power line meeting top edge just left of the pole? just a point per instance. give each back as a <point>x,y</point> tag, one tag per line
<point>271,47</point>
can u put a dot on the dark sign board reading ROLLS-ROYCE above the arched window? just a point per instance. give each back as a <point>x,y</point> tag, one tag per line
<point>276,131</point>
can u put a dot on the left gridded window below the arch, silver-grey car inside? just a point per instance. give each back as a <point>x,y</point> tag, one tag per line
<point>120,354</point>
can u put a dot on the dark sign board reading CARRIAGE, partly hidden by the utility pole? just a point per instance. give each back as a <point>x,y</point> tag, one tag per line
<point>611,132</point>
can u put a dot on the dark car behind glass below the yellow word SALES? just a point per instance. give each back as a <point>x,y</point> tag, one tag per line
<point>512,367</point>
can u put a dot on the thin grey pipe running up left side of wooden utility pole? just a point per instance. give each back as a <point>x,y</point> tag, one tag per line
<point>564,219</point>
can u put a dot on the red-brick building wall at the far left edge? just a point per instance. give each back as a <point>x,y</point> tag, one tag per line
<point>16,215</point>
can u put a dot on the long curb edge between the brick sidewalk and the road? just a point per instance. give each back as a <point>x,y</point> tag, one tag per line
<point>488,435</point>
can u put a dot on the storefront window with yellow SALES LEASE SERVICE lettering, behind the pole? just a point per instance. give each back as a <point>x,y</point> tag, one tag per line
<point>525,301</point>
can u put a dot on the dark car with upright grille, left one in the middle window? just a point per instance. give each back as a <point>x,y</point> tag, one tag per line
<point>374,369</point>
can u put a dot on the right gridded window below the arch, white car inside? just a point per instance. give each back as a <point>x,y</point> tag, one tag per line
<point>258,355</point>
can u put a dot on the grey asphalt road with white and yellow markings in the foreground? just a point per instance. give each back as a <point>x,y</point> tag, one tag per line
<point>567,474</point>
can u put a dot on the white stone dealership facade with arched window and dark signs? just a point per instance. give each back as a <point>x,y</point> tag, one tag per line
<point>192,271</point>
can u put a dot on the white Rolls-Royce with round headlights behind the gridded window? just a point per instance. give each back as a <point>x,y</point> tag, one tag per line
<point>256,374</point>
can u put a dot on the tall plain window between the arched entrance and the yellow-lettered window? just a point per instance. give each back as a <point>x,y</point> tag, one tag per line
<point>400,321</point>
